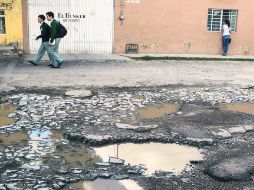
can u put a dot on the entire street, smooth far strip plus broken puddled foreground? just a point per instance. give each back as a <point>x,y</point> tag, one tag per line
<point>127,125</point>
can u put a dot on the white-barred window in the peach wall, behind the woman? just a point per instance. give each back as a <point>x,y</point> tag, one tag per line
<point>217,16</point>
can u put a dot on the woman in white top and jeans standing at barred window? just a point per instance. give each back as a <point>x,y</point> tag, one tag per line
<point>226,37</point>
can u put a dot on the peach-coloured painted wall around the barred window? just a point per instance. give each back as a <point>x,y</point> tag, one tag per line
<point>180,26</point>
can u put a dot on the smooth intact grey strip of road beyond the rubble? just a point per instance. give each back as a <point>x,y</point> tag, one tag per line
<point>123,73</point>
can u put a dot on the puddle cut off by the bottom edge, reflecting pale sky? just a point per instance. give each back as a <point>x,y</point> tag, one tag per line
<point>103,184</point>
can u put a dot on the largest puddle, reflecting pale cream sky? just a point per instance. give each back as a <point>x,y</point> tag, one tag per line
<point>155,156</point>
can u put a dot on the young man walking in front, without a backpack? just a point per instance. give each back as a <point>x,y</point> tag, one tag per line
<point>45,35</point>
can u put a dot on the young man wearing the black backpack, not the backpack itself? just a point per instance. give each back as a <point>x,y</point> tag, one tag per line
<point>55,36</point>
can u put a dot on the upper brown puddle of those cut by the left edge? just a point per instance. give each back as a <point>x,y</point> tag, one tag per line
<point>5,110</point>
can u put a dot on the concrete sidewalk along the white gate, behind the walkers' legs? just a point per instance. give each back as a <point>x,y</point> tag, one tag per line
<point>93,57</point>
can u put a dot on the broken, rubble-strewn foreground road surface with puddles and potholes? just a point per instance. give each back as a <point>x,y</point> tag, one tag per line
<point>127,138</point>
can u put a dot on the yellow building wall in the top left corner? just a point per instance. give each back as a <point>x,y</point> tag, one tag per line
<point>11,31</point>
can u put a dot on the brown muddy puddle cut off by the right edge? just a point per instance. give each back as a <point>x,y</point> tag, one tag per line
<point>238,107</point>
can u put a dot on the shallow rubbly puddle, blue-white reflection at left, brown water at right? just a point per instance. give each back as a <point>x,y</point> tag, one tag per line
<point>45,143</point>
